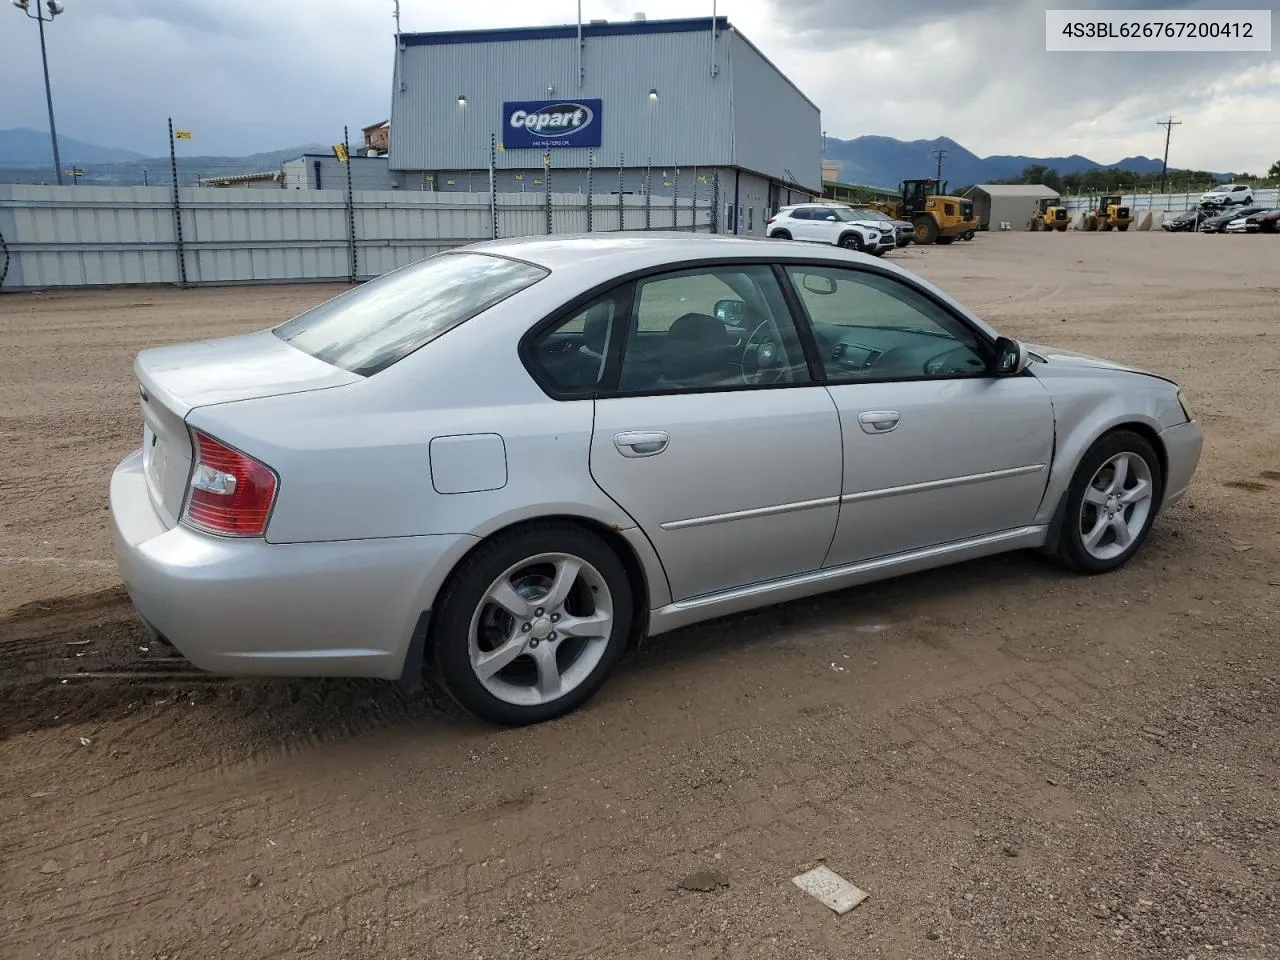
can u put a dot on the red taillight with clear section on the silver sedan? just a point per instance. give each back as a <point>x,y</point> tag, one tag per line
<point>231,495</point>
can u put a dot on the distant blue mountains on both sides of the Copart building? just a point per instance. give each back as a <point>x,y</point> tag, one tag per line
<point>874,162</point>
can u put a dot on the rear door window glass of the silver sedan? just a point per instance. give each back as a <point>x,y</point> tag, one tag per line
<point>715,328</point>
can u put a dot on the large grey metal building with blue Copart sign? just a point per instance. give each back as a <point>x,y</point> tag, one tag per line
<point>671,107</point>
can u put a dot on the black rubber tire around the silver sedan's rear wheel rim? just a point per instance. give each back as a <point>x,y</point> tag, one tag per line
<point>450,659</point>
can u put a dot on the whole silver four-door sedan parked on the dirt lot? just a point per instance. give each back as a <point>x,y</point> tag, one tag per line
<point>506,464</point>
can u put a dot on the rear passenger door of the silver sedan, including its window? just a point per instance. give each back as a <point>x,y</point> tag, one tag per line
<point>715,437</point>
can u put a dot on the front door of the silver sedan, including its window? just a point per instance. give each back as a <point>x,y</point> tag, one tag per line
<point>935,449</point>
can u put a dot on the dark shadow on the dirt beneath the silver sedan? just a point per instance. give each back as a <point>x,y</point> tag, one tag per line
<point>298,714</point>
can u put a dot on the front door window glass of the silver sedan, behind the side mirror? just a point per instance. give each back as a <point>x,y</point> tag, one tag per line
<point>876,328</point>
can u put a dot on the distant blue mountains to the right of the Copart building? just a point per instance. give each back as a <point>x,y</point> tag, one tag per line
<point>884,162</point>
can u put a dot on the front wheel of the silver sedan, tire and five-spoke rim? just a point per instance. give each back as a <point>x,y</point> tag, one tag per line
<point>1112,504</point>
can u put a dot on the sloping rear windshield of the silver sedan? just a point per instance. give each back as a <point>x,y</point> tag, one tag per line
<point>380,323</point>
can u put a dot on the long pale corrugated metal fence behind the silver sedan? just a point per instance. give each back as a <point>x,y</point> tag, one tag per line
<point>92,236</point>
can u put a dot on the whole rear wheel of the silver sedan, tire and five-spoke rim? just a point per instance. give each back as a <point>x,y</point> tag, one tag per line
<point>532,624</point>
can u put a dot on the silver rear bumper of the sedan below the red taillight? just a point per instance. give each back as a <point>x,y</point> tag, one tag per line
<point>248,607</point>
